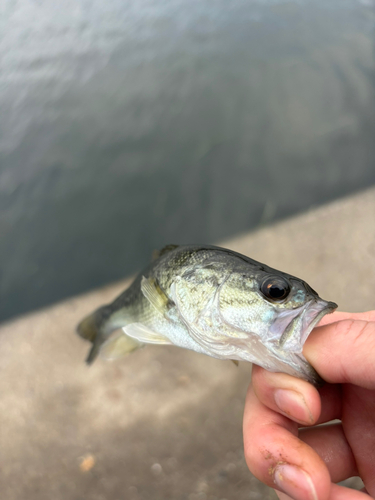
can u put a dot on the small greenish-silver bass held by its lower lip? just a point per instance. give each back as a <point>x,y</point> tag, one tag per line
<point>216,302</point>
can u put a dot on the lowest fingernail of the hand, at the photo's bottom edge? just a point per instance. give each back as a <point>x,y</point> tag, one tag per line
<point>295,482</point>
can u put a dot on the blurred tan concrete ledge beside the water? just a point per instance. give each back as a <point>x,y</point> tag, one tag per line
<point>163,423</point>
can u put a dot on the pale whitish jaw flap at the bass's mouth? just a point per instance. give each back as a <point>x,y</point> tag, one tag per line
<point>300,327</point>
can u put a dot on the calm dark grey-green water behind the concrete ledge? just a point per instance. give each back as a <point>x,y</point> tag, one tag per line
<point>126,125</point>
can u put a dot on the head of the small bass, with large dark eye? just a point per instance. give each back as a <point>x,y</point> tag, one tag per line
<point>278,310</point>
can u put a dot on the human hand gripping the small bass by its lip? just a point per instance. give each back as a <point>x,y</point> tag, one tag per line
<point>306,463</point>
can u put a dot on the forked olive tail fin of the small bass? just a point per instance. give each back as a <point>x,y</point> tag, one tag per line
<point>95,329</point>
